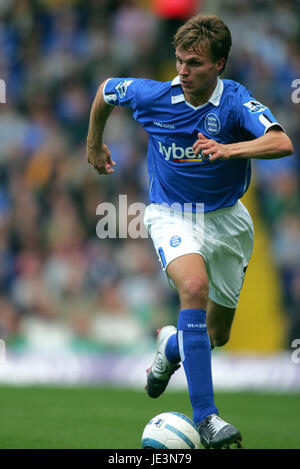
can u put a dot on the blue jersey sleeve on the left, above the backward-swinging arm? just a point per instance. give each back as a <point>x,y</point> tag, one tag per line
<point>121,92</point>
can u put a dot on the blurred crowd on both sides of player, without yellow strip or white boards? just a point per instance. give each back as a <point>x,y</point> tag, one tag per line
<point>59,283</point>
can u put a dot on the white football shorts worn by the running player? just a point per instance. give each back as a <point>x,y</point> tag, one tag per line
<point>224,238</point>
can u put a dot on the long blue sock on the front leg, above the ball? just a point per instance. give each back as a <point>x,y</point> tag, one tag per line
<point>195,353</point>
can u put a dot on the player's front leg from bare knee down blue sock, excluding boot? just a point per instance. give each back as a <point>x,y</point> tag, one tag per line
<point>189,275</point>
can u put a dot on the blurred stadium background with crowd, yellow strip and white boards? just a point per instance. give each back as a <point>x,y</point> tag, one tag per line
<point>77,309</point>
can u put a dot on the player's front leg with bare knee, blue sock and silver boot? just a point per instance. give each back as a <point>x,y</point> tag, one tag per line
<point>189,275</point>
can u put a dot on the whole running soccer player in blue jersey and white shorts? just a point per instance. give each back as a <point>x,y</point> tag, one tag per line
<point>203,132</point>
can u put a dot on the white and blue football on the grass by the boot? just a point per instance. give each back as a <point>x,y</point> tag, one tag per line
<point>170,430</point>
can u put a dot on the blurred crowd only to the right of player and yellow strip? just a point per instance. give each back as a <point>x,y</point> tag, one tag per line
<point>266,59</point>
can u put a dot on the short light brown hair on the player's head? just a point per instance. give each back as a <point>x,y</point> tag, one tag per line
<point>207,31</point>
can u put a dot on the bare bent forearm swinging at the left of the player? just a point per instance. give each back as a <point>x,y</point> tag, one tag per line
<point>98,154</point>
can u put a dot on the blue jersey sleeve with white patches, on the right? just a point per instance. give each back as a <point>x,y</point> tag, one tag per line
<point>254,118</point>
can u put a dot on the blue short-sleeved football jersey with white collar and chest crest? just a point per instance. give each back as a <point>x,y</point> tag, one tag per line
<point>176,175</point>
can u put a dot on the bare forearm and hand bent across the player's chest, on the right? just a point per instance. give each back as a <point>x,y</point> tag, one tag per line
<point>275,143</point>
